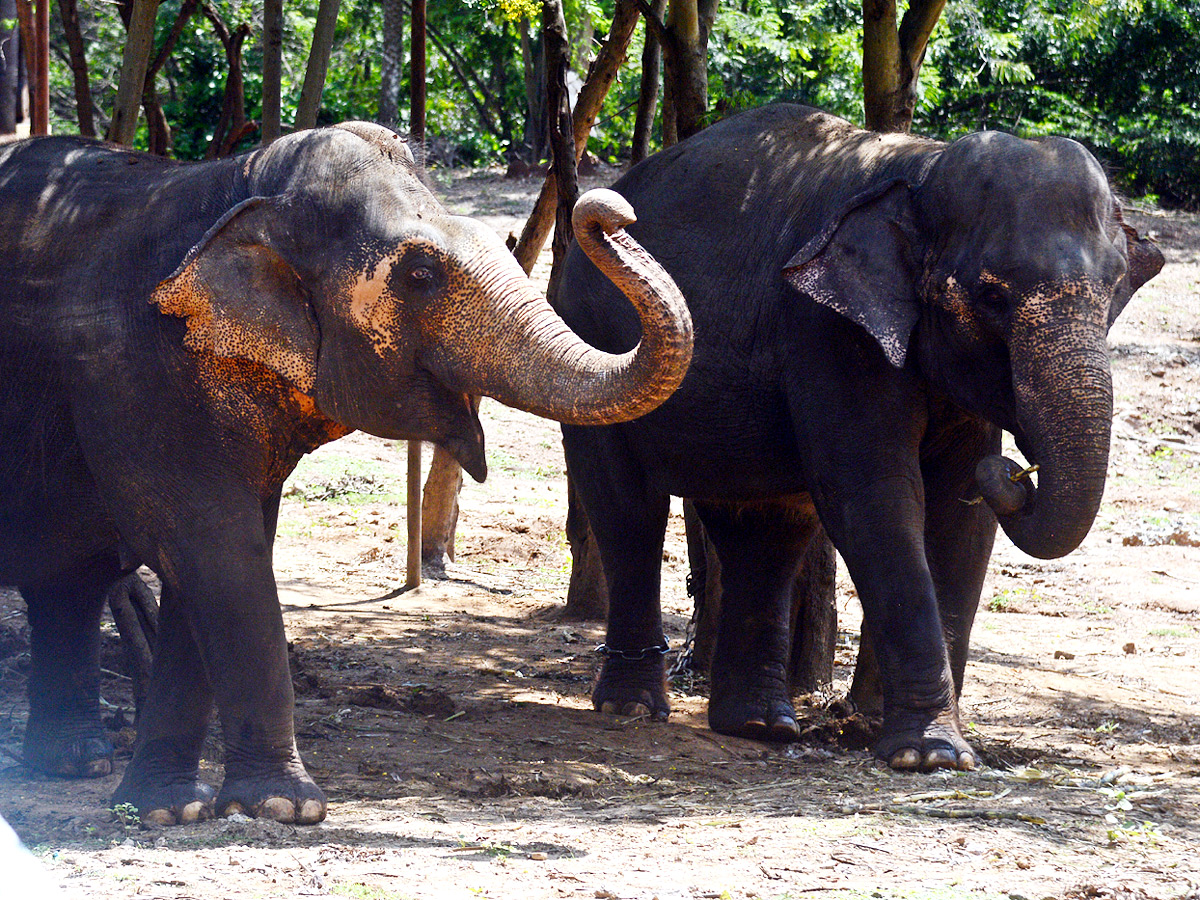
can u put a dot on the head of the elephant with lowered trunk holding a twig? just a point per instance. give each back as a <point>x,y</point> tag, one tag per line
<point>997,269</point>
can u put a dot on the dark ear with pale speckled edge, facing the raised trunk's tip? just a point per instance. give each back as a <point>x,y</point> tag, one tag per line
<point>865,266</point>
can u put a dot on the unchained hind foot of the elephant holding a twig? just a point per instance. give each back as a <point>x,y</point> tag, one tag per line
<point>753,707</point>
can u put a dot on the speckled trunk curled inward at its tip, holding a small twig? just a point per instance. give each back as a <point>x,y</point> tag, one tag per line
<point>1064,393</point>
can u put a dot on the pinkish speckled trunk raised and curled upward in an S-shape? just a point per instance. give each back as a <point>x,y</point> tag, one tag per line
<point>535,362</point>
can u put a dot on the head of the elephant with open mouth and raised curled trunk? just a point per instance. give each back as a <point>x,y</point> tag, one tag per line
<point>345,275</point>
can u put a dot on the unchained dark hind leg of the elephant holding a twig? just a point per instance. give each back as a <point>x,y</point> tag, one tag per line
<point>761,550</point>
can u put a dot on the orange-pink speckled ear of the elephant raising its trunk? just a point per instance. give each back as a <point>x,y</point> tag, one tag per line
<point>242,298</point>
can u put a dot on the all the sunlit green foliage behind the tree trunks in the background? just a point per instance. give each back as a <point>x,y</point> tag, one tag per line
<point>1120,76</point>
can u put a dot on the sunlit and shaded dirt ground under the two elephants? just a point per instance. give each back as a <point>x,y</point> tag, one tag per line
<point>452,728</point>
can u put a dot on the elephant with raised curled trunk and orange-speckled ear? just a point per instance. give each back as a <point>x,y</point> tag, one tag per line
<point>175,338</point>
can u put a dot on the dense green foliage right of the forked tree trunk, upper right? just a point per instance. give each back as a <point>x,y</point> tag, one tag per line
<point>1121,77</point>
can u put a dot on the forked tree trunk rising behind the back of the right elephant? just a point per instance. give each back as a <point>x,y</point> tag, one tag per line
<point>892,59</point>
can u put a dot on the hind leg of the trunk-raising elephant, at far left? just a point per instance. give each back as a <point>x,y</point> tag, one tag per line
<point>64,736</point>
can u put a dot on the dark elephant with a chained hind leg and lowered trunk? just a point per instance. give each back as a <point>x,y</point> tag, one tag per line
<point>872,313</point>
